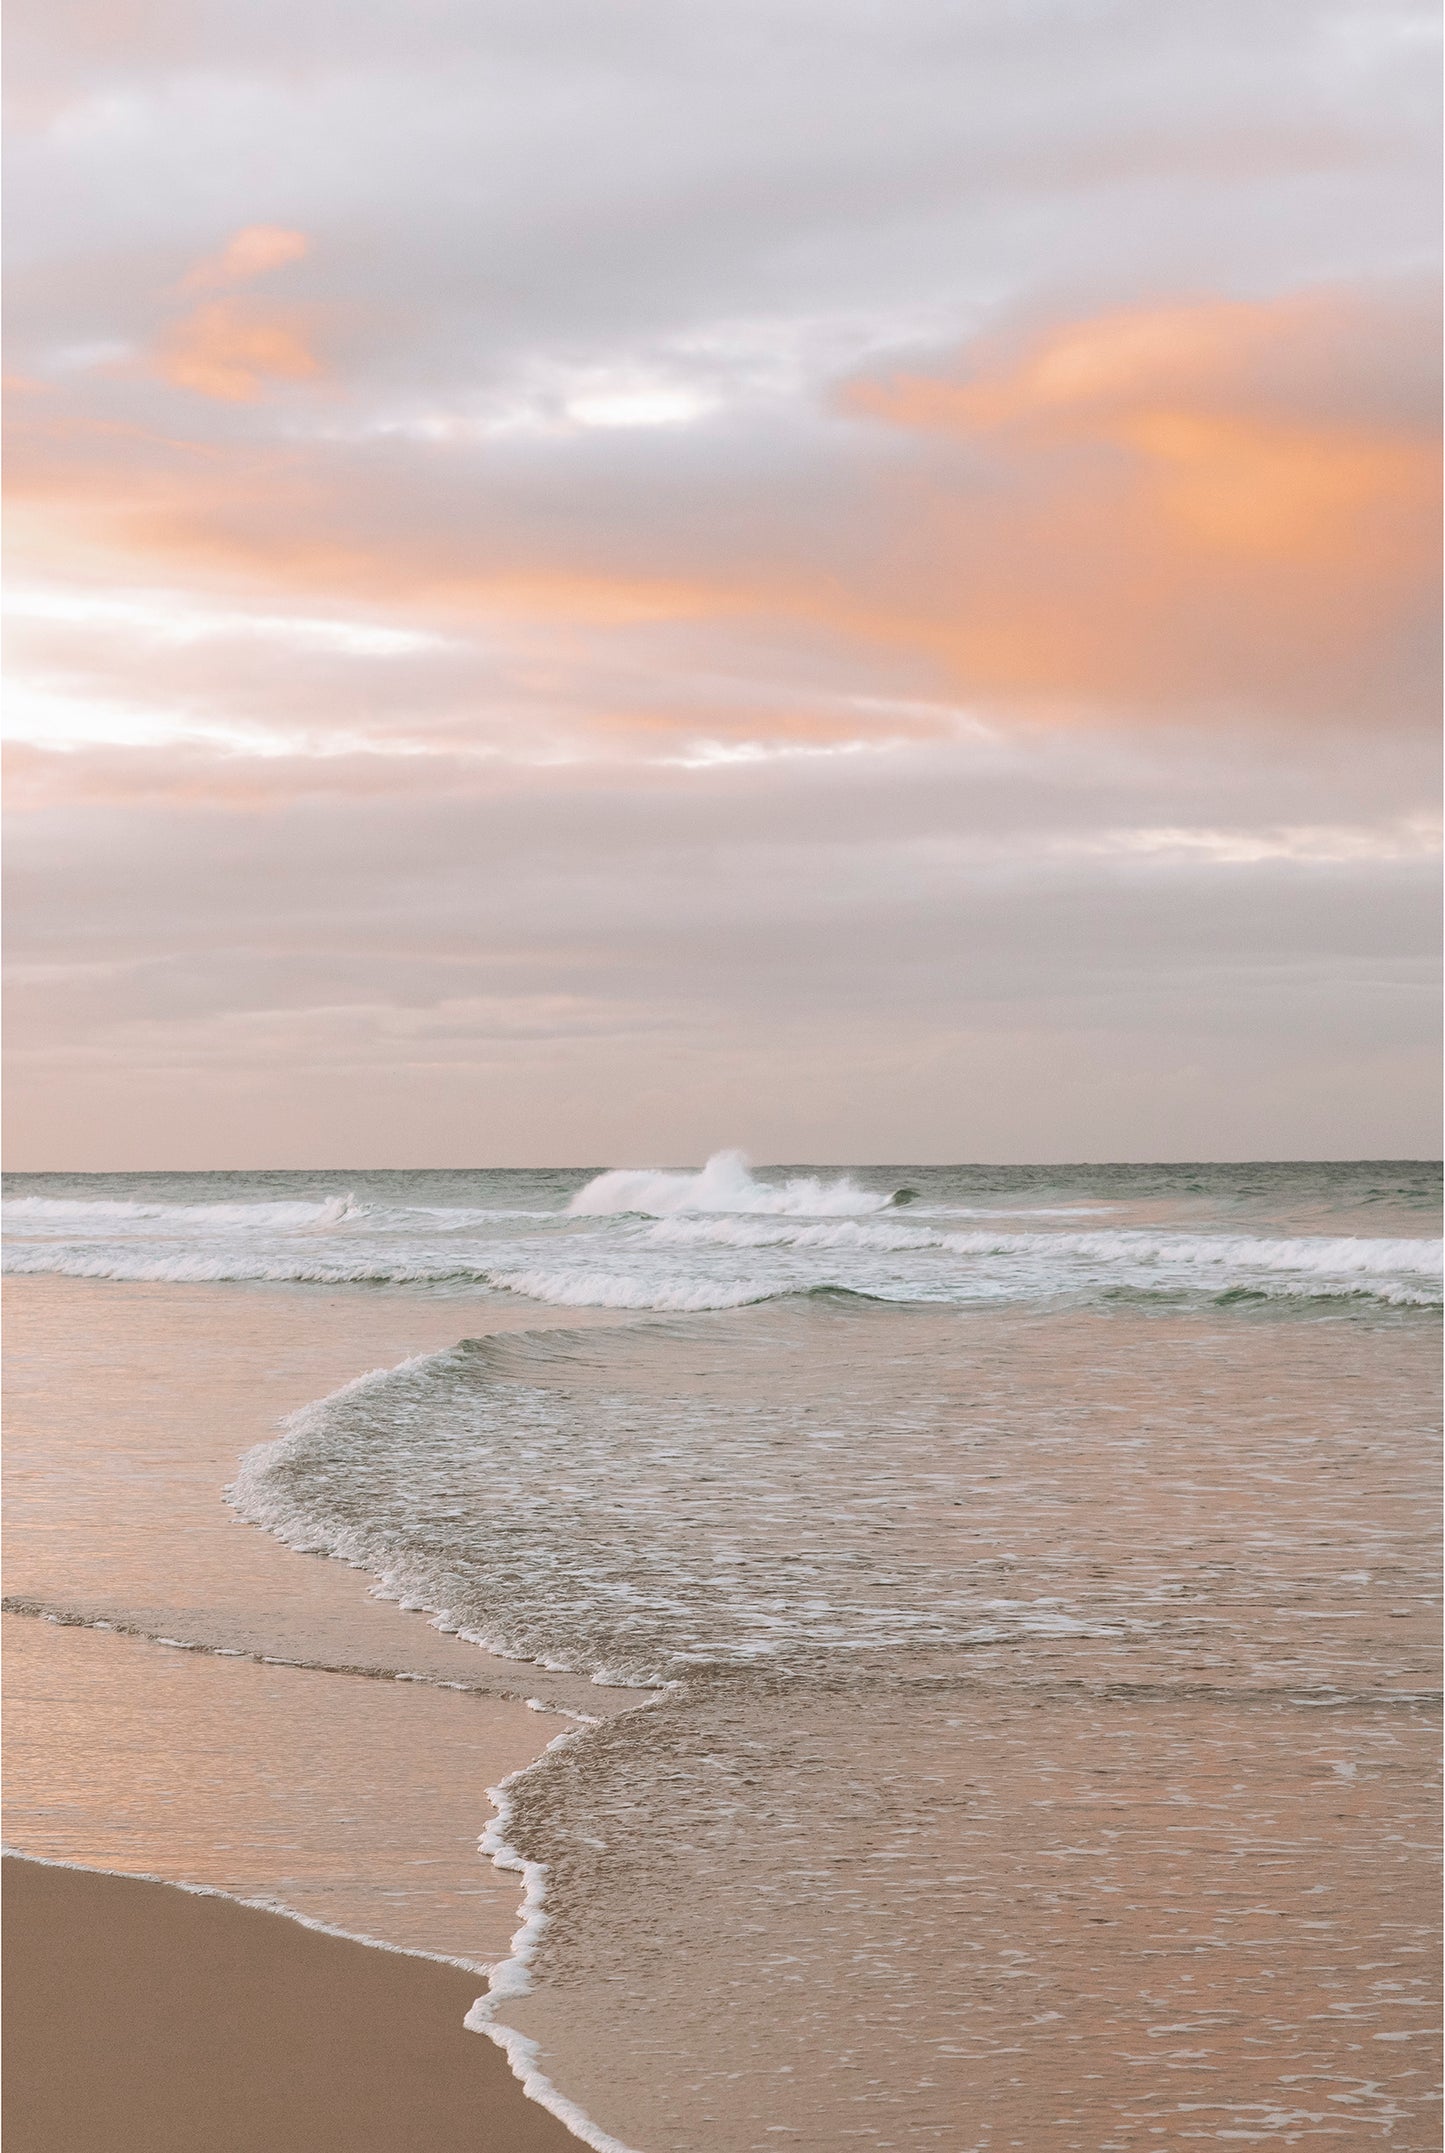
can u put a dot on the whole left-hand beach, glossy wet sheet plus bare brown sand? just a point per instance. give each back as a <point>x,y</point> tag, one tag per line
<point>247,1756</point>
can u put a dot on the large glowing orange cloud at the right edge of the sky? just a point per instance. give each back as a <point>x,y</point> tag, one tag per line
<point>1173,505</point>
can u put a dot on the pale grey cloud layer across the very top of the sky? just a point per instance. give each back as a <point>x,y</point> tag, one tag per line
<point>595,178</point>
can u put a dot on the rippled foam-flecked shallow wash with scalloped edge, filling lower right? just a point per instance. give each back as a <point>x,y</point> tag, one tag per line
<point>1046,1689</point>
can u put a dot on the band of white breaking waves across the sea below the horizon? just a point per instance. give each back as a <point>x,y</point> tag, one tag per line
<point>720,1239</point>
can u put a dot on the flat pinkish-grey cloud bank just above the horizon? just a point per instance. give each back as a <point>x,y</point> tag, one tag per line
<point>471,959</point>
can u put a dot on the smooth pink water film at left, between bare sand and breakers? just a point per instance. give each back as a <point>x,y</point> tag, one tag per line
<point>296,1741</point>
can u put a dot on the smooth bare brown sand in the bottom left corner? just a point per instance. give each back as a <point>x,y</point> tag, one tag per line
<point>150,2018</point>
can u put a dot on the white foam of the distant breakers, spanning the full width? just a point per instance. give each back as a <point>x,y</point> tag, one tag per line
<point>669,1241</point>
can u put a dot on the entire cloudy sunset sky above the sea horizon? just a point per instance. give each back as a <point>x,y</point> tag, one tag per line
<point>595,580</point>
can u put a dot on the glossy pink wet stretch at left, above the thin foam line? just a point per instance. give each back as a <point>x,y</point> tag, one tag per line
<point>128,1411</point>
